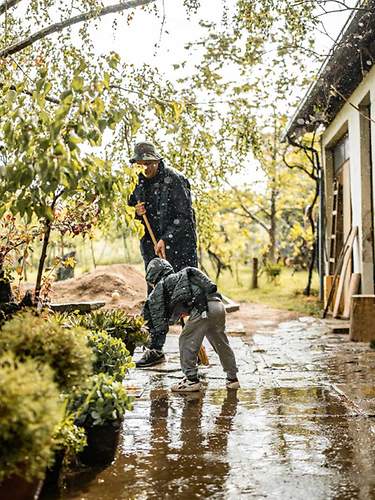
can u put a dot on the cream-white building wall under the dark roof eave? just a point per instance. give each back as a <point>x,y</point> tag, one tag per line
<point>349,119</point>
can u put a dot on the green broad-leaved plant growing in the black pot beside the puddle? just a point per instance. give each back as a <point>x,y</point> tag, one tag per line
<point>103,400</point>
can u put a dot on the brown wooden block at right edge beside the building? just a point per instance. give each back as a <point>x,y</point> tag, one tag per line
<point>362,318</point>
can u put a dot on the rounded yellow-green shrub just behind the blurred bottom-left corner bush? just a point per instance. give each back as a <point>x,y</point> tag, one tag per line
<point>65,350</point>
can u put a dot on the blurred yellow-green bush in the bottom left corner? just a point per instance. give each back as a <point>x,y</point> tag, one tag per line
<point>30,410</point>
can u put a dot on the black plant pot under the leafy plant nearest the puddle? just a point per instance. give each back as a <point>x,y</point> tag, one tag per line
<point>102,442</point>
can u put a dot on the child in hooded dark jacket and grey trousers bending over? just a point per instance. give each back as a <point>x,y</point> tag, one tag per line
<point>186,293</point>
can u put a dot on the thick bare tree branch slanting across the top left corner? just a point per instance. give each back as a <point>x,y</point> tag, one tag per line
<point>60,26</point>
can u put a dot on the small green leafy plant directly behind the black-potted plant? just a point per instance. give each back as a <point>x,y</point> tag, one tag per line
<point>111,355</point>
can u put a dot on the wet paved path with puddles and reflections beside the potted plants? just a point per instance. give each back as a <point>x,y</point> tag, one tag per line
<point>297,429</point>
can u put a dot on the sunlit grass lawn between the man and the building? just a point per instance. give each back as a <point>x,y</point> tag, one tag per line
<point>286,293</point>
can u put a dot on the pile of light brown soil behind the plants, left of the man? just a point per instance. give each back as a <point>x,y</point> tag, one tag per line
<point>100,284</point>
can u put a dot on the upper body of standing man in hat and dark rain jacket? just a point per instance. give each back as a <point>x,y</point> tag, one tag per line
<point>163,194</point>
